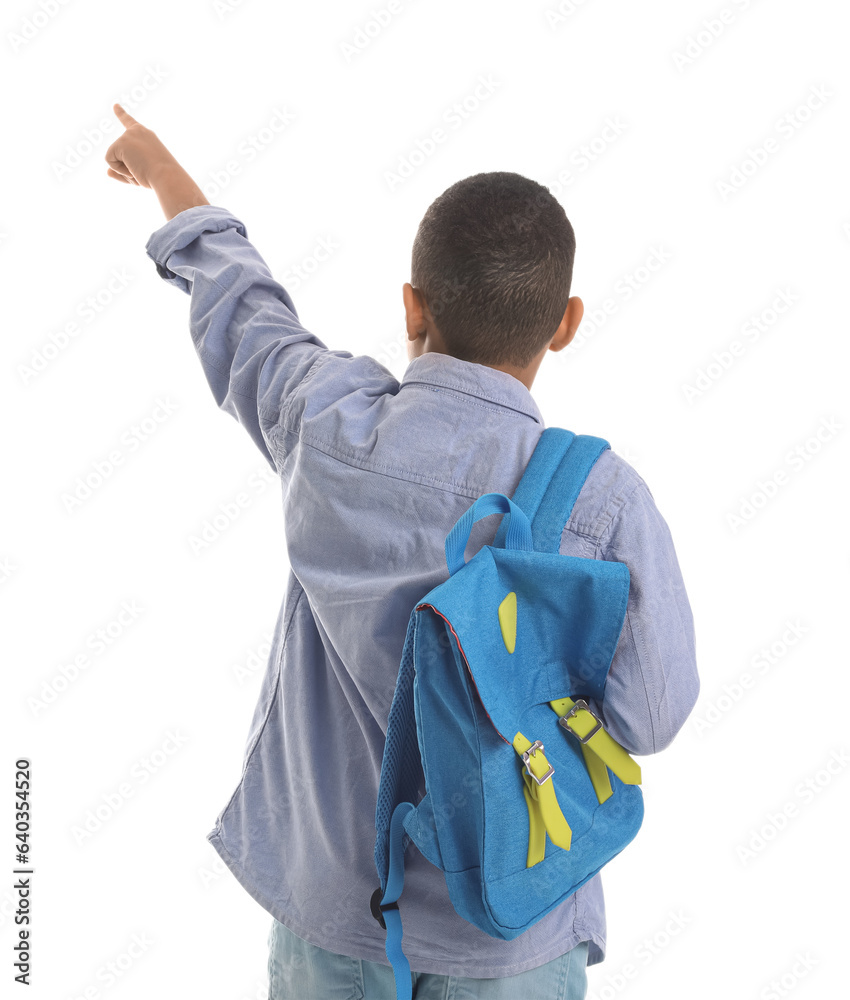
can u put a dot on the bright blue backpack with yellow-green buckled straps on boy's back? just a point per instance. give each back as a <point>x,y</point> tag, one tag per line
<point>491,716</point>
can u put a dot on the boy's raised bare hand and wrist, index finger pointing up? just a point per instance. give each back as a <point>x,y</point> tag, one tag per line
<point>138,157</point>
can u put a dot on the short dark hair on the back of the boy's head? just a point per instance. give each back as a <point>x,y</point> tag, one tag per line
<point>493,259</point>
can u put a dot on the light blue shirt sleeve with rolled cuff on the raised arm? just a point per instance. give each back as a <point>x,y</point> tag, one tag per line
<point>244,326</point>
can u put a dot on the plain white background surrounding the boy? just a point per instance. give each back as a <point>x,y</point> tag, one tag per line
<point>740,869</point>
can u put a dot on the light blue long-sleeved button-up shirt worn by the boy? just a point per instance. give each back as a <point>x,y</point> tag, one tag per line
<point>374,474</point>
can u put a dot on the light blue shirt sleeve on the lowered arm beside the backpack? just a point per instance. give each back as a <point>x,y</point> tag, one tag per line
<point>652,683</point>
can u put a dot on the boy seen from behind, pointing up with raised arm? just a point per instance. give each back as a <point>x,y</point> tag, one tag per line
<point>374,475</point>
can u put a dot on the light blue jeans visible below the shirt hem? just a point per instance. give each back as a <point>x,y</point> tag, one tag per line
<point>301,971</point>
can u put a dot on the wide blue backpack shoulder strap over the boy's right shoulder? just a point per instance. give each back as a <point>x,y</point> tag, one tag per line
<point>552,481</point>
